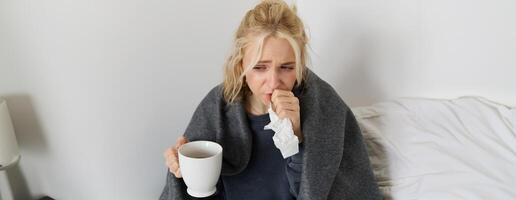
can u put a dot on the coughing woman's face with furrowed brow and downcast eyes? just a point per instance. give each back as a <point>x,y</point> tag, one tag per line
<point>276,69</point>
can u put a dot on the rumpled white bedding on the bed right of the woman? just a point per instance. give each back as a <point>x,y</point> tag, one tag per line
<point>432,149</point>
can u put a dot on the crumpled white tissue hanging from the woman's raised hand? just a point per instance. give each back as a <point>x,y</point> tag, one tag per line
<point>284,138</point>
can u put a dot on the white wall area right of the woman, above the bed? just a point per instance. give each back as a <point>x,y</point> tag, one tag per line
<point>376,50</point>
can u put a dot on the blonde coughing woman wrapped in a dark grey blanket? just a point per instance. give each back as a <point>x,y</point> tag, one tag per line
<point>267,68</point>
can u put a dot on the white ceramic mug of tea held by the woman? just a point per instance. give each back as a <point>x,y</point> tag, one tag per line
<point>200,163</point>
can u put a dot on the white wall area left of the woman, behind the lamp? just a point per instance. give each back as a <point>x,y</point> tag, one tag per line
<point>99,89</point>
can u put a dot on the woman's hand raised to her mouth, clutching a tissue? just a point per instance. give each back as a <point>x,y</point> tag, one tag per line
<point>286,105</point>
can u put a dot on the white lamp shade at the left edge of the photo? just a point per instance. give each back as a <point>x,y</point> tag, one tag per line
<point>8,146</point>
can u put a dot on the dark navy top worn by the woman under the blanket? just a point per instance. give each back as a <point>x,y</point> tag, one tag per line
<point>267,175</point>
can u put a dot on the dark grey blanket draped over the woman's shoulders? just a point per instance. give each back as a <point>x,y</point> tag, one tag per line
<point>335,161</point>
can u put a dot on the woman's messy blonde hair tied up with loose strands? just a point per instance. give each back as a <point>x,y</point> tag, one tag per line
<point>269,18</point>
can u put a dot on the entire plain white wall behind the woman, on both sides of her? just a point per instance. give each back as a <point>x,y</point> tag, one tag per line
<point>98,89</point>
